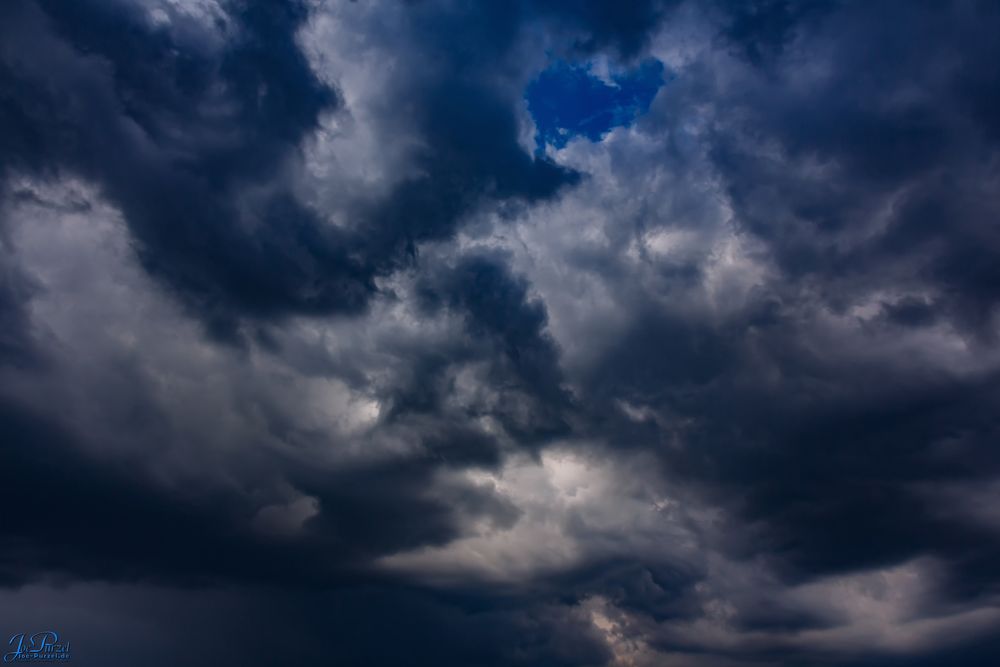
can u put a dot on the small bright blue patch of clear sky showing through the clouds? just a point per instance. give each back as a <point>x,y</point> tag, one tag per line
<point>568,100</point>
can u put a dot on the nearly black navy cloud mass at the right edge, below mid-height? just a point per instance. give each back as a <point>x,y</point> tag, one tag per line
<point>830,463</point>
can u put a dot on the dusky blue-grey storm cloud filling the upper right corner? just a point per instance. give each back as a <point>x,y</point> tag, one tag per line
<point>893,116</point>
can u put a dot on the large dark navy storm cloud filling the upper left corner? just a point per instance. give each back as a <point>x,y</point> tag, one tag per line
<point>105,95</point>
